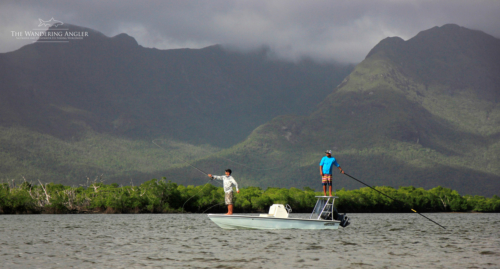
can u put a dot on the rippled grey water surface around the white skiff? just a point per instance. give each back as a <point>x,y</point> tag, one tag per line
<point>193,241</point>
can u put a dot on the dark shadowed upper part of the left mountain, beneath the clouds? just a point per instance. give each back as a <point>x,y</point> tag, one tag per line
<point>113,85</point>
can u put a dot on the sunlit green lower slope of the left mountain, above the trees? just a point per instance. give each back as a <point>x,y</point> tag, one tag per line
<point>36,156</point>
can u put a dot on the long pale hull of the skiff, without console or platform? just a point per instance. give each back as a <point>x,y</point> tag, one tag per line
<point>256,222</point>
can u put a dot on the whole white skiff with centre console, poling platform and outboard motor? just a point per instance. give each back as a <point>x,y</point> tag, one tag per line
<point>324,216</point>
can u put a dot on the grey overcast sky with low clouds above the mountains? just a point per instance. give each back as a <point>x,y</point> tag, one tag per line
<point>343,30</point>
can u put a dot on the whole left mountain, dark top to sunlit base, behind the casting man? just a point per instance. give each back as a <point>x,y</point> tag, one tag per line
<point>91,107</point>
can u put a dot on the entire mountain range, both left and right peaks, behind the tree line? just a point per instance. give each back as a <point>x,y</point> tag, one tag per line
<point>421,112</point>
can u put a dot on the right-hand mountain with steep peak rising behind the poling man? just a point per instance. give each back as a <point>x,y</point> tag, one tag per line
<point>422,112</point>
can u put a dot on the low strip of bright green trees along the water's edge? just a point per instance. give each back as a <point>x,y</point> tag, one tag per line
<point>162,196</point>
